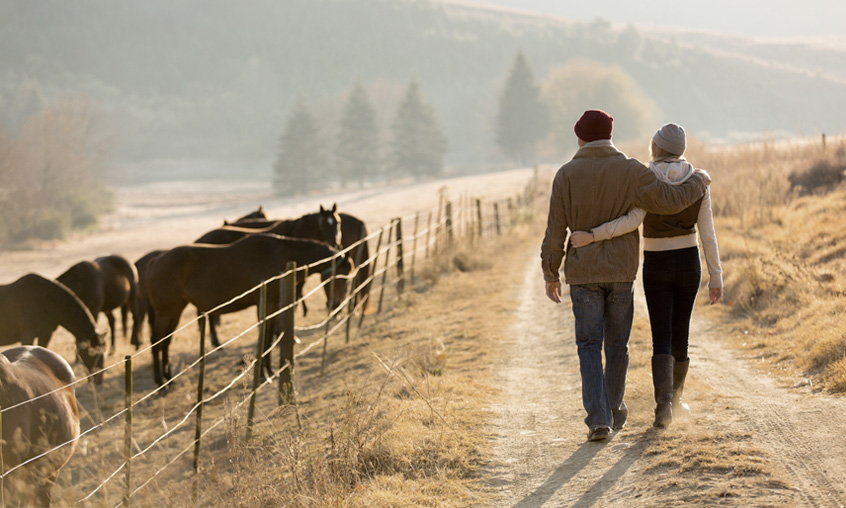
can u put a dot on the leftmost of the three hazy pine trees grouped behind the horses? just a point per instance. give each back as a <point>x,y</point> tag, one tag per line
<point>299,166</point>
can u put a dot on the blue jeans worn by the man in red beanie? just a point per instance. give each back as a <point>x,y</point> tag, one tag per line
<point>603,315</point>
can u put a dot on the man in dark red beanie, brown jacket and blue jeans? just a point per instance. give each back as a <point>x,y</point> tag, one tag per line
<point>601,183</point>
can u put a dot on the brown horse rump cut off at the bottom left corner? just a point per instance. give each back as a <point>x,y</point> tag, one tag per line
<point>36,427</point>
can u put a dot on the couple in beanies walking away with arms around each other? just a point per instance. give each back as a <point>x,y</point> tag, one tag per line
<point>601,196</point>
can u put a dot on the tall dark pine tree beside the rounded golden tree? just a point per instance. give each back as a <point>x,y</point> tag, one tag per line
<point>523,119</point>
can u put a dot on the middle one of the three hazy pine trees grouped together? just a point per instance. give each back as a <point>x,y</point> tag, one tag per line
<point>357,151</point>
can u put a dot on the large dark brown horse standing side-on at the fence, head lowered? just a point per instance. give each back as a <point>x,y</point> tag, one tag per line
<point>210,275</point>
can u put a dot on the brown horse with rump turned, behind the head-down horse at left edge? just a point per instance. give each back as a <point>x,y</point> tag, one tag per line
<point>105,284</point>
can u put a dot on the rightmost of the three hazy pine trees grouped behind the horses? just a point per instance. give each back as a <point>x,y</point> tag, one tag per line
<point>418,144</point>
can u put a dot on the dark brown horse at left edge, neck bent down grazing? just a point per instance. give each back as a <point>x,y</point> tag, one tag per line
<point>33,307</point>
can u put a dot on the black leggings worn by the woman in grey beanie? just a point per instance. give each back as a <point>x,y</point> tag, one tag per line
<point>671,280</point>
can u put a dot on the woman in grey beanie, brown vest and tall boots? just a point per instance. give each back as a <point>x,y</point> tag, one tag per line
<point>671,269</point>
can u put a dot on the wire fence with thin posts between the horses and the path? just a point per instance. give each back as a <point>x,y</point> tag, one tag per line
<point>118,450</point>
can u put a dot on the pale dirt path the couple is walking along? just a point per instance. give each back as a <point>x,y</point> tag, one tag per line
<point>542,458</point>
